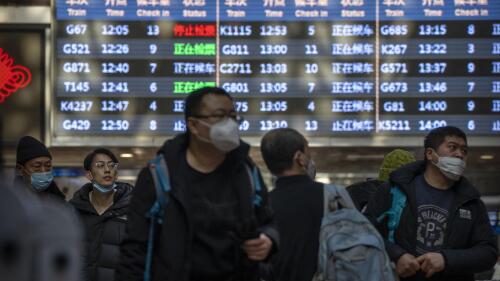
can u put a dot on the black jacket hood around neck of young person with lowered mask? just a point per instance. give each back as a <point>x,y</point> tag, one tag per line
<point>81,199</point>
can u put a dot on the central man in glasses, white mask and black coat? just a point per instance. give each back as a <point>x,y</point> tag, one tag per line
<point>216,224</point>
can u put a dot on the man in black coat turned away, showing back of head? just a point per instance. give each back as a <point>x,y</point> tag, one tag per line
<point>297,201</point>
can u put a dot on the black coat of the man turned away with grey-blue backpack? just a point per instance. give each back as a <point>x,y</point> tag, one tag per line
<point>297,202</point>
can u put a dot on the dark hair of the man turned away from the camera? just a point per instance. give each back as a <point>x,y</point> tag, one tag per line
<point>278,148</point>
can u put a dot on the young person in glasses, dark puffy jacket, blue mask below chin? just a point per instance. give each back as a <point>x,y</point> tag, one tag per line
<point>102,206</point>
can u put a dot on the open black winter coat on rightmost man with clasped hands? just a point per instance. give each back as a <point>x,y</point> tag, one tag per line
<point>470,244</point>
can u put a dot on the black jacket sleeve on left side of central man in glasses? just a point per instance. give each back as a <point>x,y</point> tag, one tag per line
<point>133,247</point>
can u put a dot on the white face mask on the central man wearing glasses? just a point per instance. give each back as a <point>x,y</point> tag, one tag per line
<point>224,135</point>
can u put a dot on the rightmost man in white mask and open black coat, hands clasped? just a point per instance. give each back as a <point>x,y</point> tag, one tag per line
<point>444,231</point>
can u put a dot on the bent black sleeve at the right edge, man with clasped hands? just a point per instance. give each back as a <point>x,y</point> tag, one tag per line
<point>483,253</point>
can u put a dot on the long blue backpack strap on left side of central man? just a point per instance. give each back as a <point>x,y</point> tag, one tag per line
<point>159,172</point>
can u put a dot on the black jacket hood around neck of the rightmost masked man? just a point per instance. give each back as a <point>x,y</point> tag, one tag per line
<point>407,173</point>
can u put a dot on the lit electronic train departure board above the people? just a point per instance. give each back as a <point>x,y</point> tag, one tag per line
<point>327,68</point>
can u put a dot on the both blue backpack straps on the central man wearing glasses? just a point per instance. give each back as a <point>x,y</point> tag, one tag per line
<point>159,172</point>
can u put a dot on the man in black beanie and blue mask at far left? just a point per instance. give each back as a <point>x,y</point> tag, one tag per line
<point>34,167</point>
